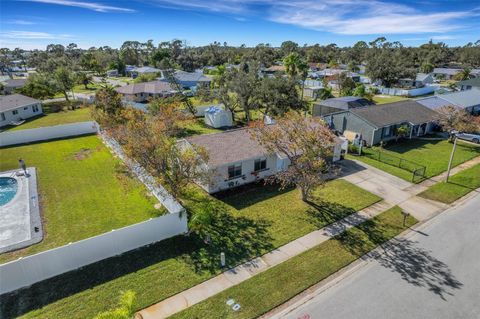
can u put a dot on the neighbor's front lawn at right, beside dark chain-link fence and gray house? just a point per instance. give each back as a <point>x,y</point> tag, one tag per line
<point>432,154</point>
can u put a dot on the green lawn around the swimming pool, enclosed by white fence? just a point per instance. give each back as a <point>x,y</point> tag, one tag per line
<point>83,191</point>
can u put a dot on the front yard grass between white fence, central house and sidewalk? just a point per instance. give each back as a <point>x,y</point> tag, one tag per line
<point>253,221</point>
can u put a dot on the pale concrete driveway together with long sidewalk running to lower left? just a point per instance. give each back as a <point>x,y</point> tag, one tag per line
<point>394,190</point>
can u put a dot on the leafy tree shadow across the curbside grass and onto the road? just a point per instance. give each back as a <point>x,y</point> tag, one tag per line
<point>414,264</point>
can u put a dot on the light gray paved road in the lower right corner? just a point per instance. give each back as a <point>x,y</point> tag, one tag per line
<point>433,274</point>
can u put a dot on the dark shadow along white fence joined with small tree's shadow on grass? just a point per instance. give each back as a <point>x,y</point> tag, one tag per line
<point>243,239</point>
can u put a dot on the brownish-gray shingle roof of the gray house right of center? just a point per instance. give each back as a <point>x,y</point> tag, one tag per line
<point>394,113</point>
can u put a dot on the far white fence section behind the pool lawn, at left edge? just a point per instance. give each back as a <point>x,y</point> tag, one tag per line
<point>48,133</point>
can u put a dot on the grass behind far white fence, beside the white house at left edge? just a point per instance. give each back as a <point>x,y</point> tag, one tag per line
<point>55,118</point>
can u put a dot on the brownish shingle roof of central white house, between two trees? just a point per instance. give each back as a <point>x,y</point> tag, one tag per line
<point>228,147</point>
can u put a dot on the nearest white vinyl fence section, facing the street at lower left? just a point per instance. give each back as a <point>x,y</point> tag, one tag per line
<point>28,270</point>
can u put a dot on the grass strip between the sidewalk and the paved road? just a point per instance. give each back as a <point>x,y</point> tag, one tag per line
<point>273,287</point>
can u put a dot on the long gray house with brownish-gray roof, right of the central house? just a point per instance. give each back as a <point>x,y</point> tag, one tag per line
<point>378,123</point>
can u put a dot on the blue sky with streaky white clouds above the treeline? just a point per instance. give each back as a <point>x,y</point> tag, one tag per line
<point>33,24</point>
